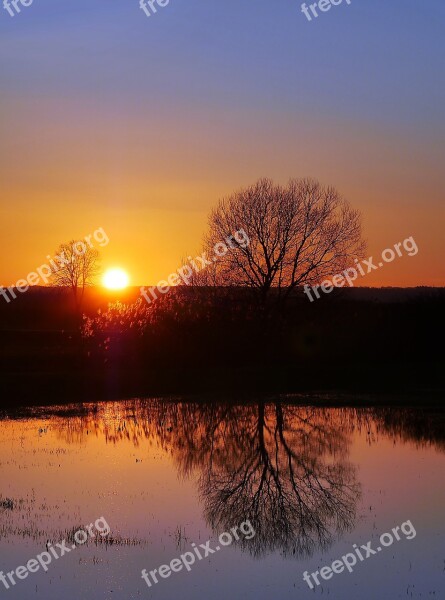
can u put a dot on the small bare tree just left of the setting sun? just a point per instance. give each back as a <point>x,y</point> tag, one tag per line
<point>78,265</point>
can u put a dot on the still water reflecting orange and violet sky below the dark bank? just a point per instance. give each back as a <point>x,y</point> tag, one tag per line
<point>164,475</point>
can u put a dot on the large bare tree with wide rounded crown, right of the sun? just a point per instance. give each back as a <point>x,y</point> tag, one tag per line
<point>299,234</point>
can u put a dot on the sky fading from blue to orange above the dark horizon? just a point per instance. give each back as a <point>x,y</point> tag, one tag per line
<point>138,125</point>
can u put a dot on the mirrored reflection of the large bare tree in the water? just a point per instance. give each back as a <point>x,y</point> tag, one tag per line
<point>283,467</point>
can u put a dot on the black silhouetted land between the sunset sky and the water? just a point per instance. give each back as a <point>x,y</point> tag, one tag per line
<point>205,341</point>
